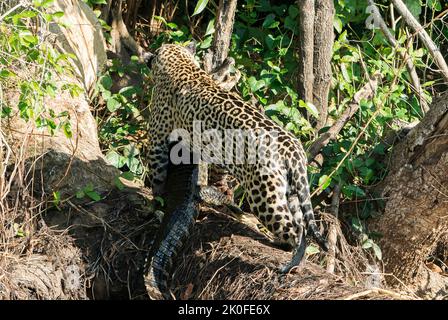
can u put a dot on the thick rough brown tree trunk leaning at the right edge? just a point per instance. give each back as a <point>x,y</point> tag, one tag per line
<point>414,224</point>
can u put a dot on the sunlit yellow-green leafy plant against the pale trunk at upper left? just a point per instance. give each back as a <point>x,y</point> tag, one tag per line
<point>29,64</point>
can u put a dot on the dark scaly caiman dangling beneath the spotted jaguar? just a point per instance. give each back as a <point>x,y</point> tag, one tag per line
<point>183,195</point>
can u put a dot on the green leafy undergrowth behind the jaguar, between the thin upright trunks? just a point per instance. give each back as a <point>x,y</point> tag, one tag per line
<point>264,45</point>
